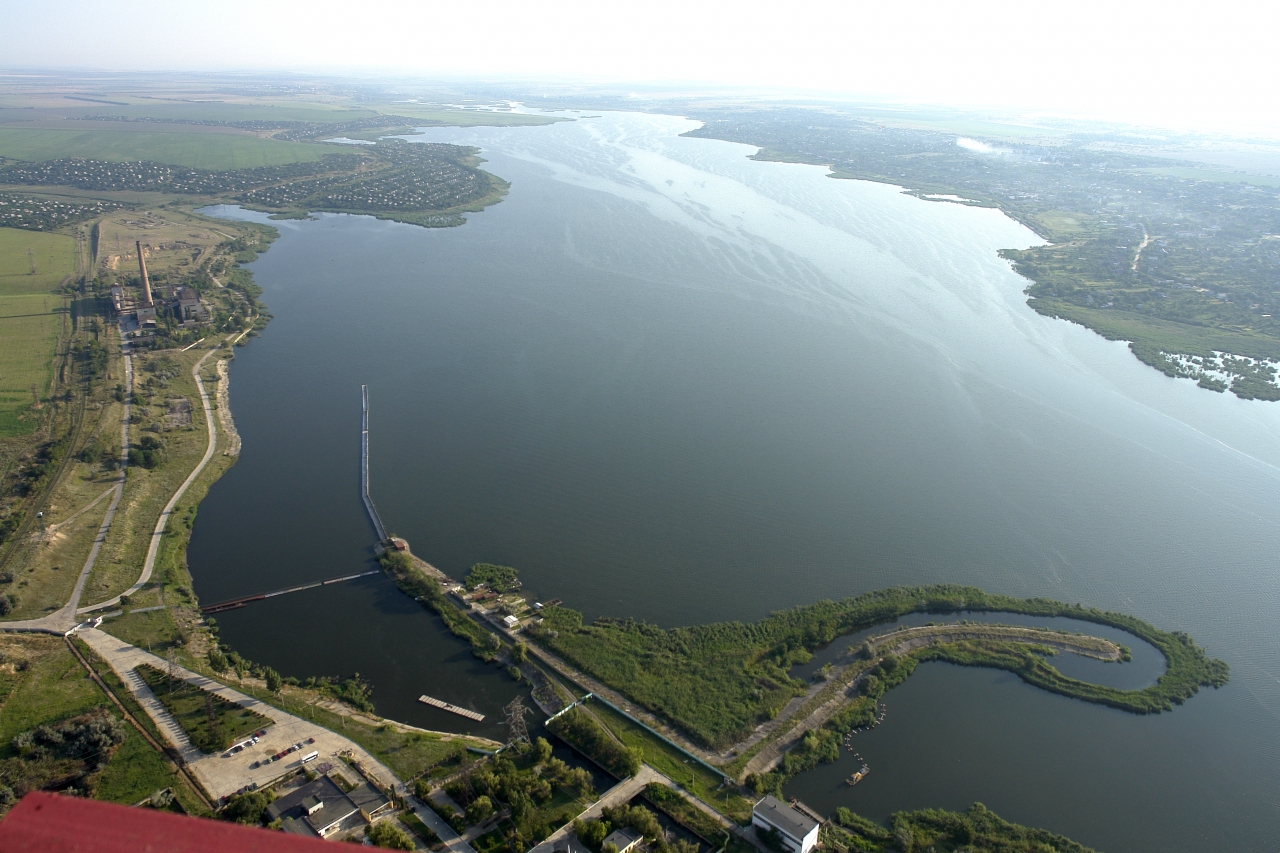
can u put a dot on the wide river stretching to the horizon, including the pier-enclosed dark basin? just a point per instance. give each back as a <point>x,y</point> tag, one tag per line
<point>670,382</point>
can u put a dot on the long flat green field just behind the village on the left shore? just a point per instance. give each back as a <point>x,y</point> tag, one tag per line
<point>191,148</point>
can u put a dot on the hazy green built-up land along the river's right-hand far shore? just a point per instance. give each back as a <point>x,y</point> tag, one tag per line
<point>1180,261</point>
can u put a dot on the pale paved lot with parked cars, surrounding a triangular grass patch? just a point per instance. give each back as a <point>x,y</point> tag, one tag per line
<point>218,774</point>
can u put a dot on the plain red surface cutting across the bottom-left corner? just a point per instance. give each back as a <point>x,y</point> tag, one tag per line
<point>53,824</point>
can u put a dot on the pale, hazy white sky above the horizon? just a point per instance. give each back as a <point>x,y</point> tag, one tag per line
<point>1187,66</point>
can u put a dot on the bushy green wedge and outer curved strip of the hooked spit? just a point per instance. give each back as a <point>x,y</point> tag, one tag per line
<point>719,682</point>
